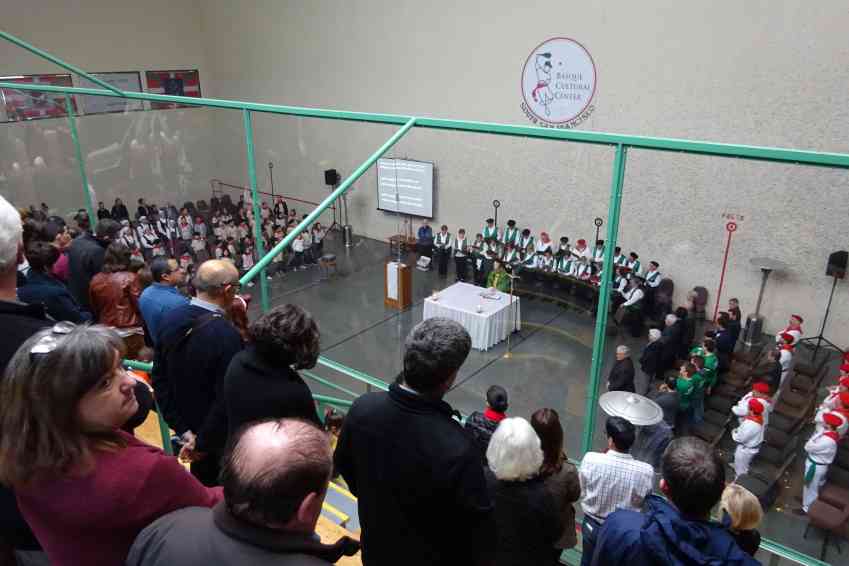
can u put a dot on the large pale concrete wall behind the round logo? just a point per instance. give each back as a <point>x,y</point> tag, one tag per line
<point>757,73</point>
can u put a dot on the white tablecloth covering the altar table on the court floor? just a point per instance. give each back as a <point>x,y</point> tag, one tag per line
<point>460,302</point>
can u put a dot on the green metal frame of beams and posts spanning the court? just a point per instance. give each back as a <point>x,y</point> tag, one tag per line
<point>620,142</point>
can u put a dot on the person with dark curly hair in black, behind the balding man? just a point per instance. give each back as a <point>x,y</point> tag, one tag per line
<point>262,381</point>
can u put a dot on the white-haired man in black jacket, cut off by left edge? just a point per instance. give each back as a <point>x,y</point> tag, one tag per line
<point>19,322</point>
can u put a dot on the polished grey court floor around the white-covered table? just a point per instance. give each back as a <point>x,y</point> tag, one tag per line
<point>549,366</point>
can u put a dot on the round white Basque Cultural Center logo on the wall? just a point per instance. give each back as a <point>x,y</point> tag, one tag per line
<point>558,84</point>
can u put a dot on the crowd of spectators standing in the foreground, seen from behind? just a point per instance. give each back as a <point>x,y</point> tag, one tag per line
<point>79,488</point>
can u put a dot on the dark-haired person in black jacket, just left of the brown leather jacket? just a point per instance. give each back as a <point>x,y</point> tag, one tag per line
<point>85,258</point>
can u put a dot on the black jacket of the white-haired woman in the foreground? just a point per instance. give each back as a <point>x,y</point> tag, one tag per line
<point>528,522</point>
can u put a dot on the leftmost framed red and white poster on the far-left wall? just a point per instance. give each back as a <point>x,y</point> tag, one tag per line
<point>19,105</point>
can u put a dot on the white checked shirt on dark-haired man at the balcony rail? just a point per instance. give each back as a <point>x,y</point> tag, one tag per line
<point>611,481</point>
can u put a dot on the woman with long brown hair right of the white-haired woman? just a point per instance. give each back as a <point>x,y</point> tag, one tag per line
<point>560,476</point>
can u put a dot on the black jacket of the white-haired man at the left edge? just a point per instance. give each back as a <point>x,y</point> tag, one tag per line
<point>19,322</point>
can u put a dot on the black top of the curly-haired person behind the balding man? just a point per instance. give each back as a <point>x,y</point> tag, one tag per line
<point>256,389</point>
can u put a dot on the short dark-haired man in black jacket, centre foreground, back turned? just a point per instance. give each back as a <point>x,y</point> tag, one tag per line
<point>423,498</point>
